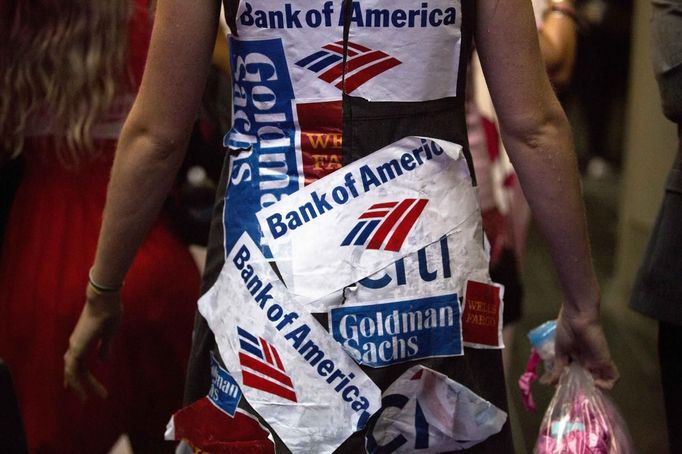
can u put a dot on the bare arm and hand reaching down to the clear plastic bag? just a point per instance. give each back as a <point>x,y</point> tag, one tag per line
<point>537,137</point>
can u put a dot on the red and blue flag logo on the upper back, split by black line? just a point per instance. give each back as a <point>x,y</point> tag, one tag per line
<point>362,64</point>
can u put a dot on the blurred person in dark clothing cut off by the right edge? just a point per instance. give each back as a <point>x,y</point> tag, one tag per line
<point>658,288</point>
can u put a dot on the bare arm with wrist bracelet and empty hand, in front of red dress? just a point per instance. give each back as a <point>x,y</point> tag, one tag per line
<point>149,153</point>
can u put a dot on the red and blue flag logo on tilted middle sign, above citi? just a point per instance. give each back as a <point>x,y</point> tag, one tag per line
<point>387,223</point>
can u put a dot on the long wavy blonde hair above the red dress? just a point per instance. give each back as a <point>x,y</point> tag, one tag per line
<point>62,62</point>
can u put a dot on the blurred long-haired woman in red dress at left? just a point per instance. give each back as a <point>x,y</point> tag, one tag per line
<point>69,73</point>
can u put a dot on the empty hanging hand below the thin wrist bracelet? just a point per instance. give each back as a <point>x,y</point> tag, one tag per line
<point>95,329</point>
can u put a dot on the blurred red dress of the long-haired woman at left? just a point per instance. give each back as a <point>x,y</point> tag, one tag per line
<point>49,245</point>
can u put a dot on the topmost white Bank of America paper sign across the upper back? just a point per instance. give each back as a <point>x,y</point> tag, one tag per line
<point>389,43</point>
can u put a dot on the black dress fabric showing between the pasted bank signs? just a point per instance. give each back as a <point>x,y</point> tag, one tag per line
<point>367,127</point>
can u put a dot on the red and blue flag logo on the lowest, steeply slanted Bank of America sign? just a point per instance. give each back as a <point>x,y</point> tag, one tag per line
<point>262,367</point>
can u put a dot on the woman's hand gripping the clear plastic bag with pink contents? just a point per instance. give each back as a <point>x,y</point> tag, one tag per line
<point>579,337</point>
